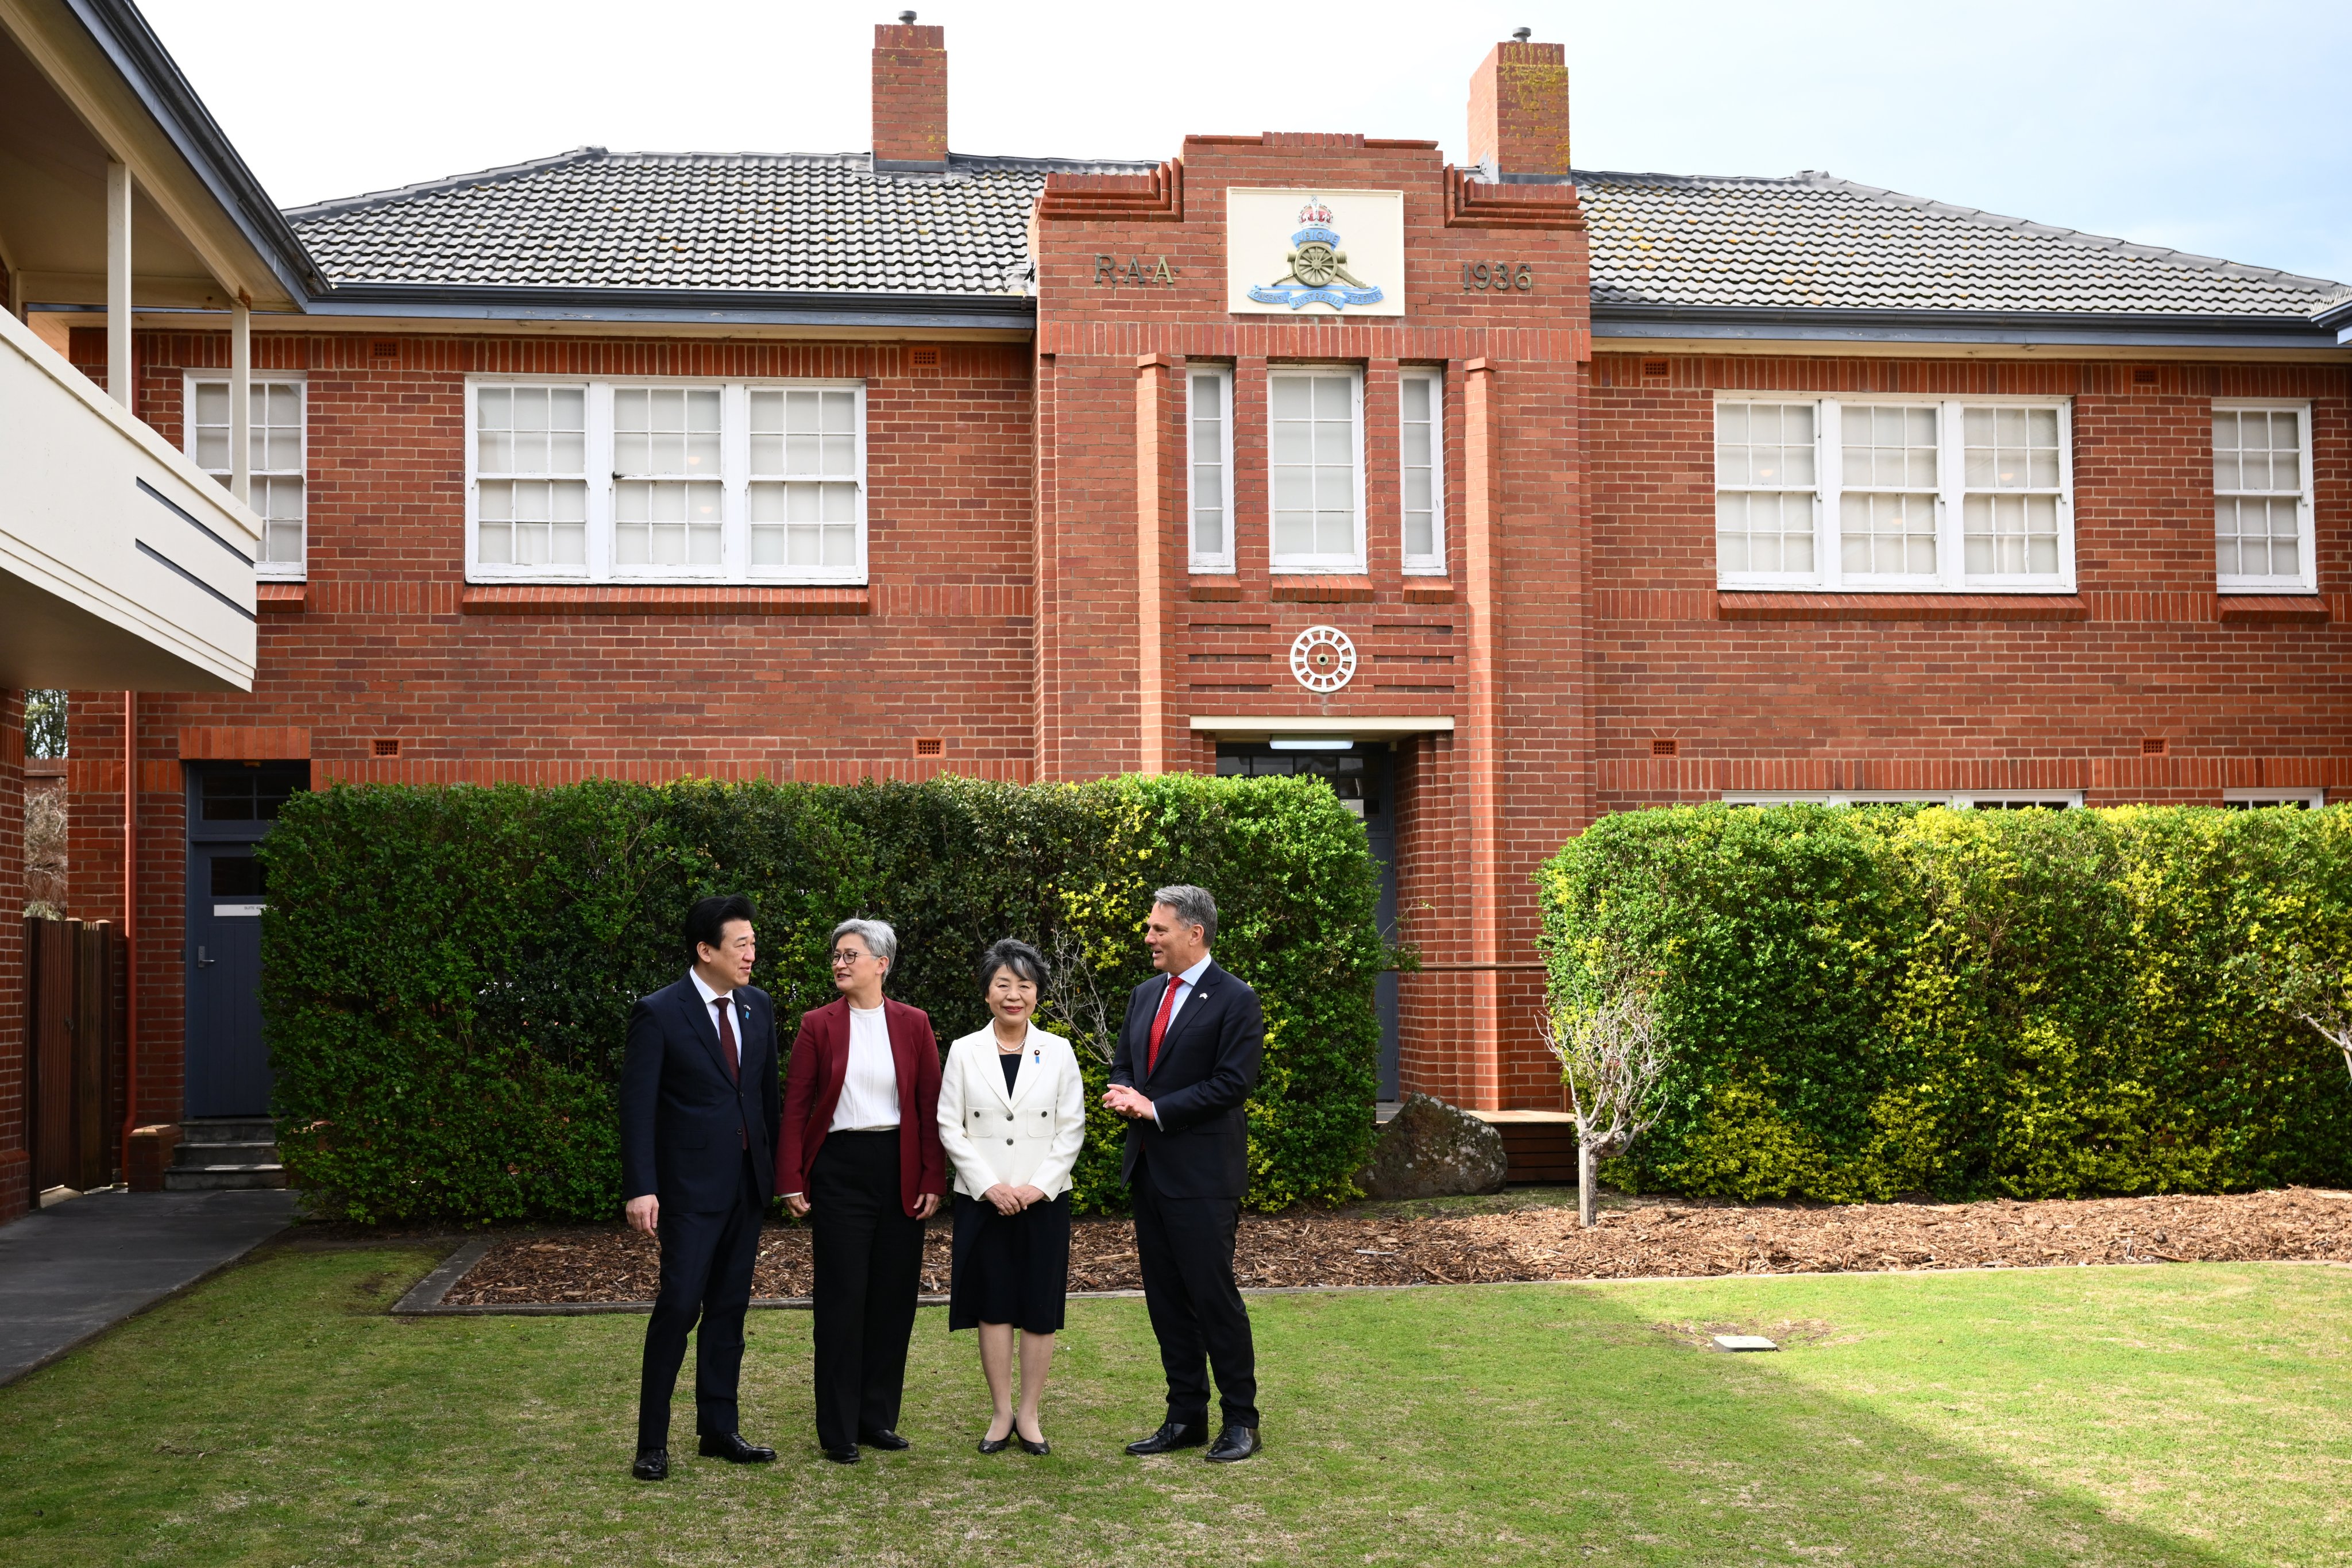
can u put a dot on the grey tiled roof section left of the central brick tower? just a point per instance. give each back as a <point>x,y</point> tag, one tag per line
<point>596,220</point>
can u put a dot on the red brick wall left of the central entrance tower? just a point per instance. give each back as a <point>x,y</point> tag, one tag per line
<point>385,641</point>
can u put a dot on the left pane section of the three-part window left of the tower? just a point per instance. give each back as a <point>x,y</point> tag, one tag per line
<point>530,462</point>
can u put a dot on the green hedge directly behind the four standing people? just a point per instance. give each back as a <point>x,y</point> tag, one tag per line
<point>448,970</point>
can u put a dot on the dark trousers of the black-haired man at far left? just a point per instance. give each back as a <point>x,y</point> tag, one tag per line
<point>704,1275</point>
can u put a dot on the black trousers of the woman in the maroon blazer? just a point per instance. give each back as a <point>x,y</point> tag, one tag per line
<point>869,1266</point>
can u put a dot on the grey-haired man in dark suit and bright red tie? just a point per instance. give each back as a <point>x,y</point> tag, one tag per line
<point>1187,1064</point>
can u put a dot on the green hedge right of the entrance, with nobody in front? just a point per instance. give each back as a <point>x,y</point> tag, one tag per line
<point>1876,1003</point>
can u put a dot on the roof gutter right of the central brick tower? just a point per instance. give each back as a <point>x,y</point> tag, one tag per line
<point>2054,328</point>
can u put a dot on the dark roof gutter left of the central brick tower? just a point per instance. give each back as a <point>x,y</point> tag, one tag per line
<point>676,307</point>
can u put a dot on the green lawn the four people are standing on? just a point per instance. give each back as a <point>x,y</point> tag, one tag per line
<point>2076,1416</point>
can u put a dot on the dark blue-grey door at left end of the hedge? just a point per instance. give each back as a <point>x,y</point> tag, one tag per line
<point>232,808</point>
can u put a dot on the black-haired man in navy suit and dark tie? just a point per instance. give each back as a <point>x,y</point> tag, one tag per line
<point>697,1167</point>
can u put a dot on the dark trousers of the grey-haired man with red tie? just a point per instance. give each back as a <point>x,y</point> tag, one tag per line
<point>1198,1315</point>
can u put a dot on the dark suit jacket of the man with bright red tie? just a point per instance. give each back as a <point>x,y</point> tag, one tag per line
<point>1208,1068</point>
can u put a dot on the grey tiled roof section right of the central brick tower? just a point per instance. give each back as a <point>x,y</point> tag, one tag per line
<point>1815,241</point>
